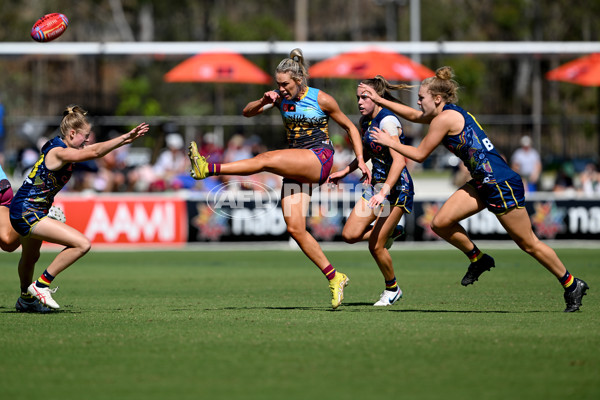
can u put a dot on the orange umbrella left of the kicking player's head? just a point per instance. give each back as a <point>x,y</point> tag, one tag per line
<point>218,66</point>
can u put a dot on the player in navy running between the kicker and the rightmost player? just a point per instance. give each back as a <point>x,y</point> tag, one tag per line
<point>390,194</point>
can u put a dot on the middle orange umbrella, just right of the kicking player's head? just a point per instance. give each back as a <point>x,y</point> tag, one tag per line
<point>369,62</point>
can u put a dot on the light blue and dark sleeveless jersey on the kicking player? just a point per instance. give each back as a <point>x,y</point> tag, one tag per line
<point>306,125</point>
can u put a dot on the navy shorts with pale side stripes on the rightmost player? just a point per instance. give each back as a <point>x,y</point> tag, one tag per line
<point>501,197</point>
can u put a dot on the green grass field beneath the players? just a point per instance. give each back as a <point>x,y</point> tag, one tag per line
<point>258,325</point>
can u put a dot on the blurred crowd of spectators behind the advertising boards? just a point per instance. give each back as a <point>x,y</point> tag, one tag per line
<point>130,169</point>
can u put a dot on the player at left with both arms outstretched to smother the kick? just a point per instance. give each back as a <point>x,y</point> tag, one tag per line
<point>31,204</point>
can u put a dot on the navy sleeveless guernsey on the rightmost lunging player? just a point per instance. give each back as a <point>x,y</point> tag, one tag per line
<point>476,150</point>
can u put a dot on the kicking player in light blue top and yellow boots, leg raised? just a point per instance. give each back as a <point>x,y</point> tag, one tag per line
<point>308,160</point>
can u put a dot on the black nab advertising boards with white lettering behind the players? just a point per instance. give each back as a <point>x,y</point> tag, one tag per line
<point>239,216</point>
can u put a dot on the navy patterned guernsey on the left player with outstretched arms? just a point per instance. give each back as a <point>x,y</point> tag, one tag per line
<point>36,195</point>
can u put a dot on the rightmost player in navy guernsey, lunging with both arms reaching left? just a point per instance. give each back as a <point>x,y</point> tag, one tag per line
<point>493,185</point>
